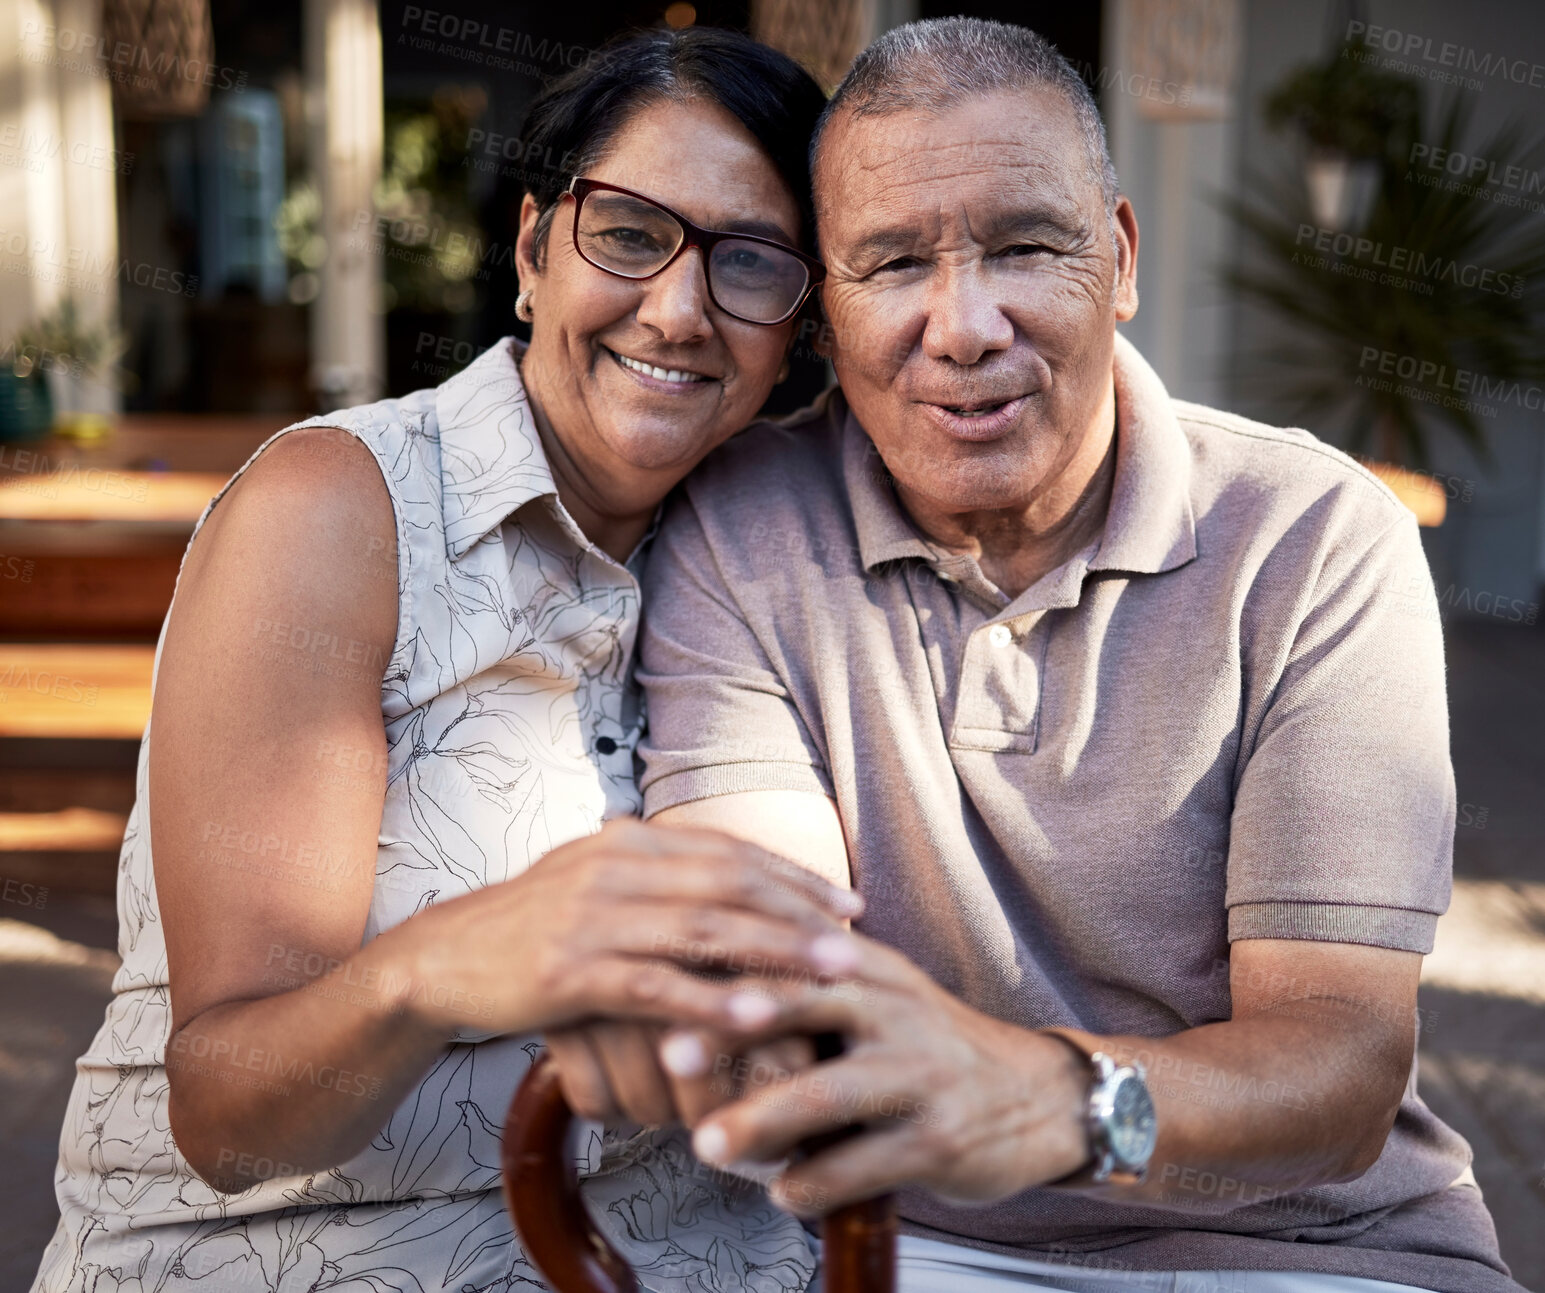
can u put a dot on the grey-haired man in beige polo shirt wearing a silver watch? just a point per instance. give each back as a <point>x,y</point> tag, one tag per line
<point>1126,716</point>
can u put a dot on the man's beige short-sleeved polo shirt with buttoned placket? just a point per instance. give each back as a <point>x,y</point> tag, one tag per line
<point>1224,719</point>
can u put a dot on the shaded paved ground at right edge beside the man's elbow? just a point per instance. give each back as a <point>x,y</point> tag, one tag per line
<point>1484,1056</point>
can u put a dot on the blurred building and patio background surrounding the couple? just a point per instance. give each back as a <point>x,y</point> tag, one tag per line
<point>220,215</point>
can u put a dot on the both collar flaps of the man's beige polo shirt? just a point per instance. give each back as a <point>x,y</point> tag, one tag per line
<point>1150,526</point>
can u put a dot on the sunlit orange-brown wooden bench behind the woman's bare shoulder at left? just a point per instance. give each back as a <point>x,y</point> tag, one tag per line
<point>92,537</point>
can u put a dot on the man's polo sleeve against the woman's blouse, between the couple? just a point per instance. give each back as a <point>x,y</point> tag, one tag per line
<point>721,718</point>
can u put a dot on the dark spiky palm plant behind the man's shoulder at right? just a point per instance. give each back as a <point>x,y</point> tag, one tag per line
<point>1436,280</point>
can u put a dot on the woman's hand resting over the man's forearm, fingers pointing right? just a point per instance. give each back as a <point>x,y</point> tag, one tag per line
<point>614,926</point>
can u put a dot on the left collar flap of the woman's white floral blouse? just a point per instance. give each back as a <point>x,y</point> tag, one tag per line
<point>492,460</point>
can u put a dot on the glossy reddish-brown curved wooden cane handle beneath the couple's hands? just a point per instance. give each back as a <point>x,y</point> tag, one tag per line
<point>555,1229</point>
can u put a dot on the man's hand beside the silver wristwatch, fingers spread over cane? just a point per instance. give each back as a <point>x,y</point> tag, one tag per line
<point>951,1099</point>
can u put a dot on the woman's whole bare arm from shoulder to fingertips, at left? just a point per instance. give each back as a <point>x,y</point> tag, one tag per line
<point>268,769</point>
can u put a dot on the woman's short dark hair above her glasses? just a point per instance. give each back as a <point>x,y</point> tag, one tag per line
<point>572,123</point>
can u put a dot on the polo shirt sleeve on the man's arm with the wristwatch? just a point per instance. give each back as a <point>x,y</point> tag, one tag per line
<point>1343,821</point>
